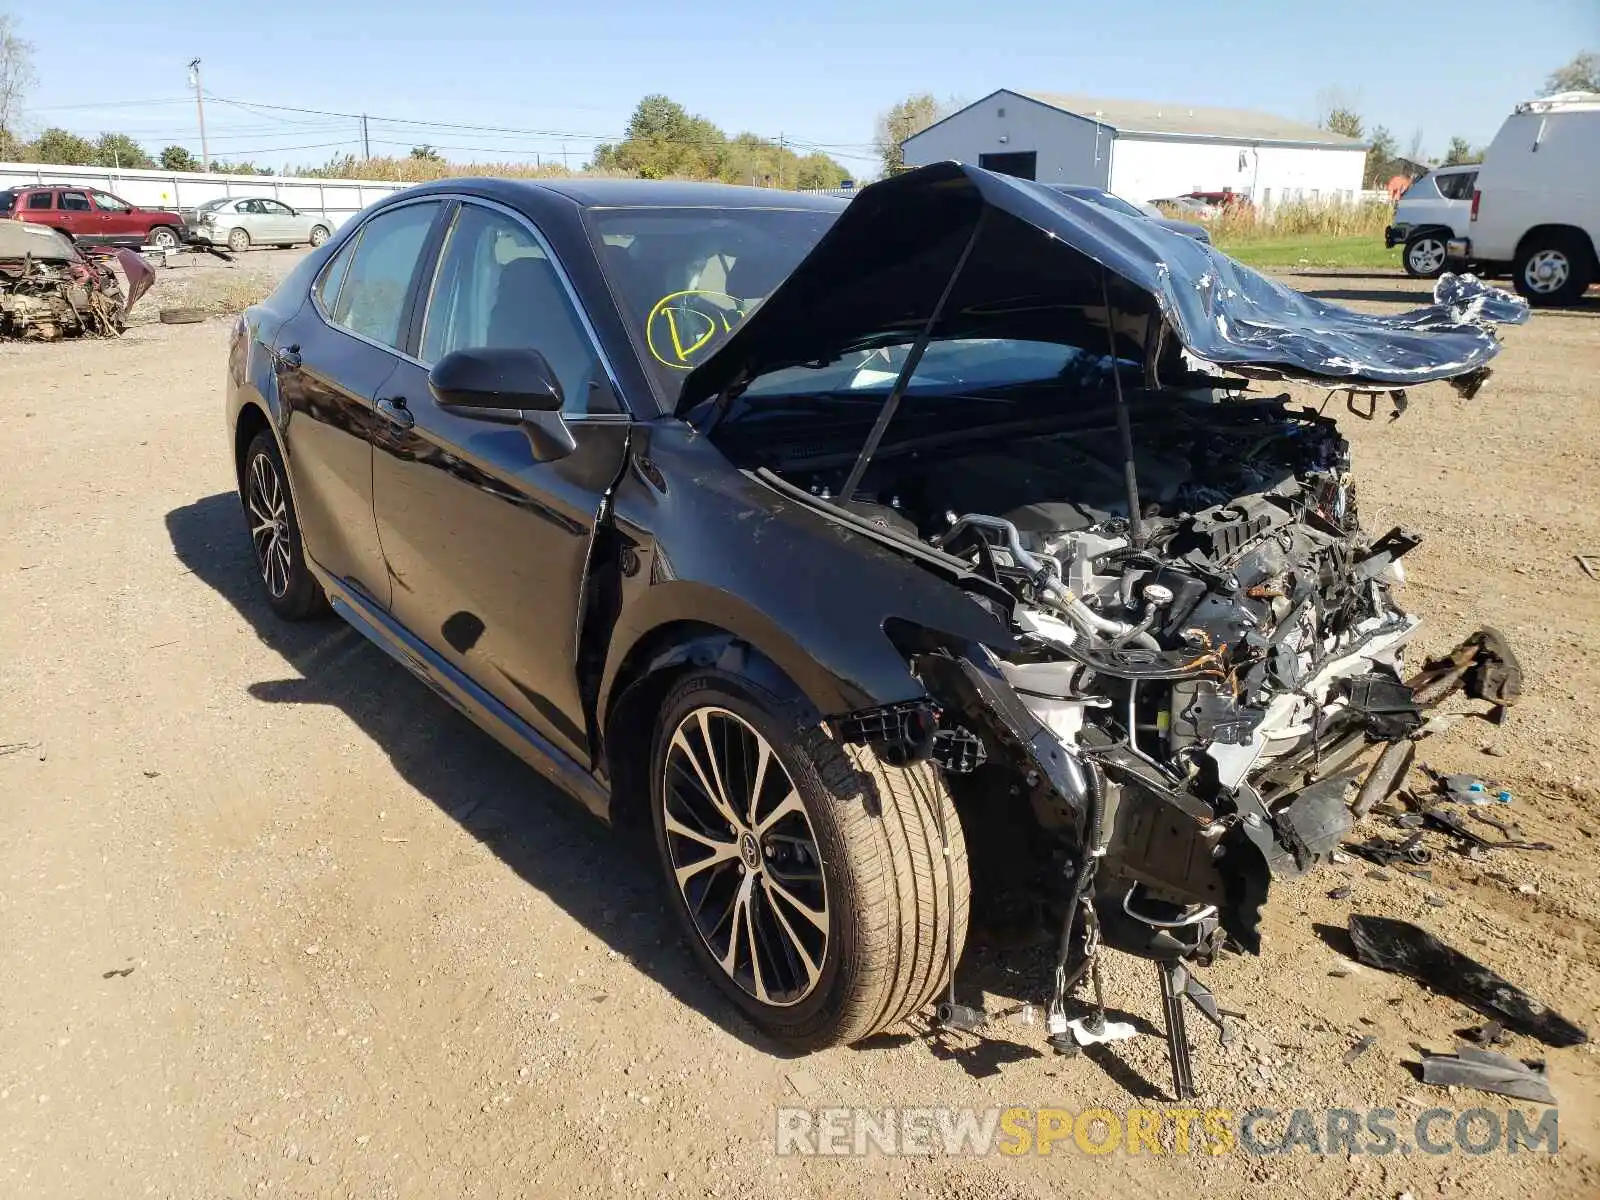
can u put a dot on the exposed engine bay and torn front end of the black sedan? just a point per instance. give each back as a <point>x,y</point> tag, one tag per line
<point>1204,676</point>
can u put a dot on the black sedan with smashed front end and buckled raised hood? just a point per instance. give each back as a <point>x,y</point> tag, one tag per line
<point>934,554</point>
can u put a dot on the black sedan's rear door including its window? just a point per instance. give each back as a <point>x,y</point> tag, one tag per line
<point>335,359</point>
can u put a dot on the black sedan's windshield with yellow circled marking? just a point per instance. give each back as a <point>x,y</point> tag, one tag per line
<point>686,278</point>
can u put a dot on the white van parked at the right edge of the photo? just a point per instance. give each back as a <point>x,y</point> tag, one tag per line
<point>1537,206</point>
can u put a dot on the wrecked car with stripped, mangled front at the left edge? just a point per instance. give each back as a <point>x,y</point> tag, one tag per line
<point>50,289</point>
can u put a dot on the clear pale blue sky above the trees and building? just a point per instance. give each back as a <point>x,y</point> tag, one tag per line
<point>817,73</point>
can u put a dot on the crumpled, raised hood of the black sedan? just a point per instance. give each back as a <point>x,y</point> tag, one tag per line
<point>876,278</point>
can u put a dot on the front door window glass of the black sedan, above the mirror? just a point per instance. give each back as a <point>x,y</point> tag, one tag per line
<point>497,287</point>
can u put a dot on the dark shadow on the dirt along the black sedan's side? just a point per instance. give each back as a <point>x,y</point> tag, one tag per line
<point>604,879</point>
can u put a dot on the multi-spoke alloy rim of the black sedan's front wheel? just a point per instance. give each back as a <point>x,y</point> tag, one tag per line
<point>745,857</point>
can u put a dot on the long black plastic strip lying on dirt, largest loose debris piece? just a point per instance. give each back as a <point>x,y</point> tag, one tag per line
<point>1406,950</point>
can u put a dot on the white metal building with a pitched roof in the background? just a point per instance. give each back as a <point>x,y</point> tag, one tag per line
<point>1145,151</point>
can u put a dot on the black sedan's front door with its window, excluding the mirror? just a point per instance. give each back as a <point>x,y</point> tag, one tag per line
<point>486,546</point>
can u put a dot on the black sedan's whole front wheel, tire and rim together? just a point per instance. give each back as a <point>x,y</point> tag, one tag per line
<point>842,830</point>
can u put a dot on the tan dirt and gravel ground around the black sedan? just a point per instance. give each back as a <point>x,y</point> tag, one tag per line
<point>274,921</point>
